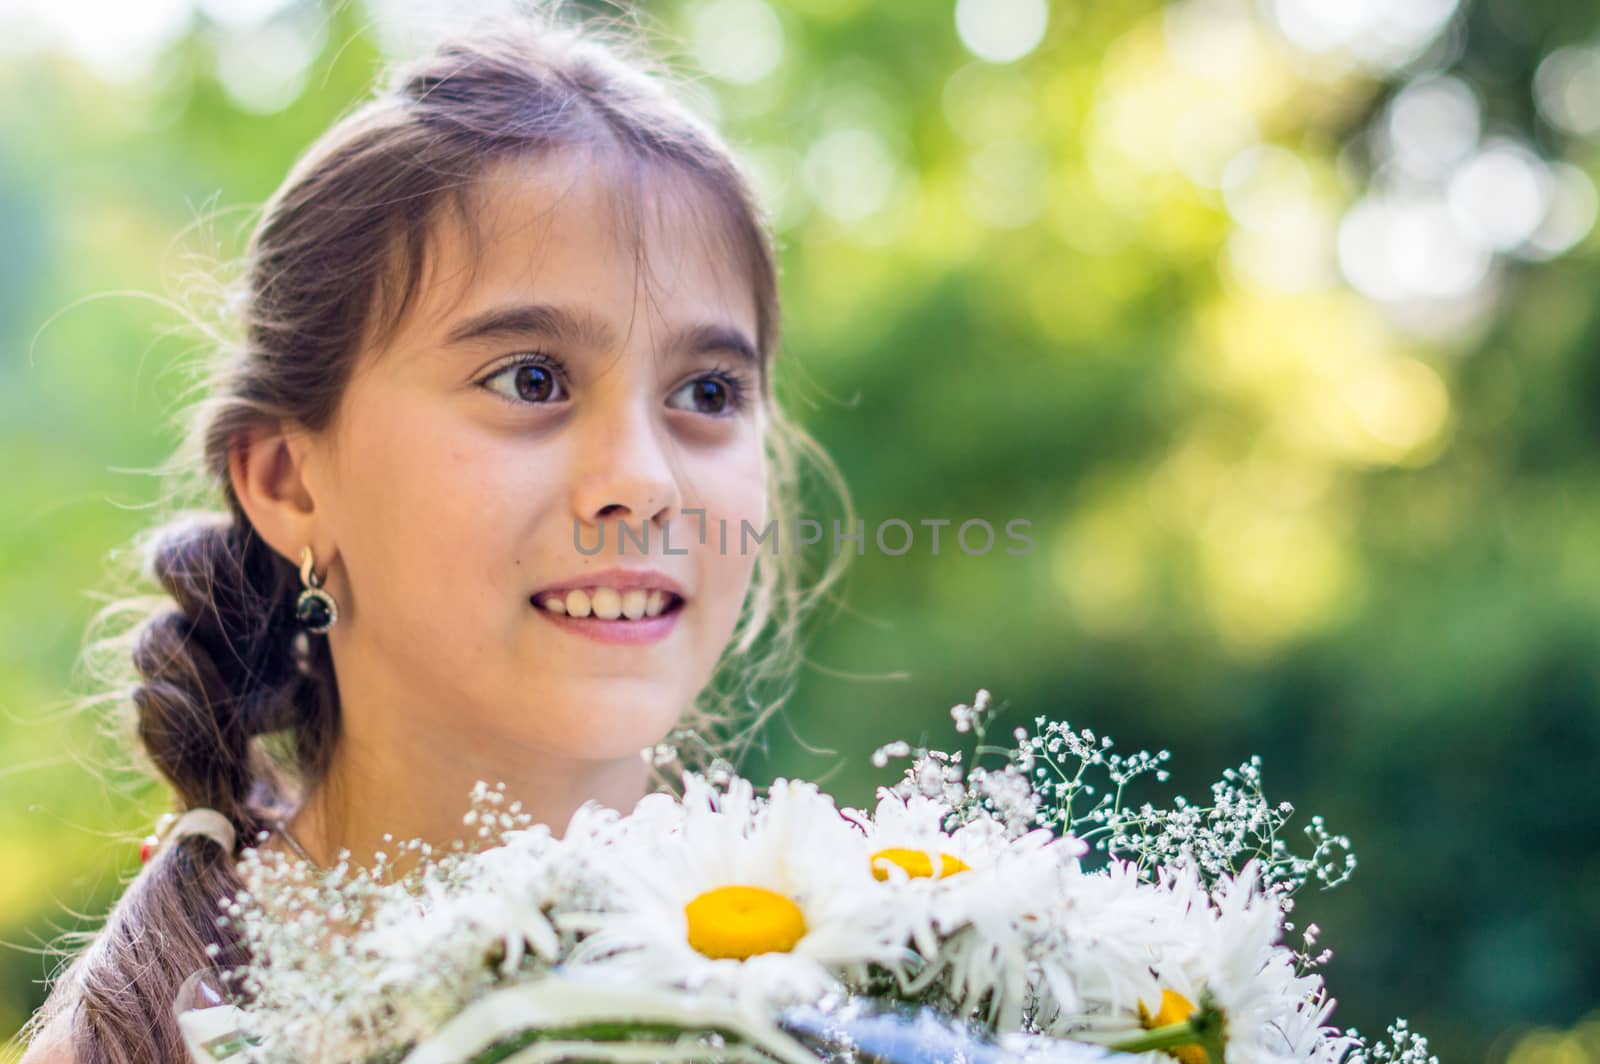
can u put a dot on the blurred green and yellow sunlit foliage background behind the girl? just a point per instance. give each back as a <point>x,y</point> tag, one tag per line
<point>1278,321</point>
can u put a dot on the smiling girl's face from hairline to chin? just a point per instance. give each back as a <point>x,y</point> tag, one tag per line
<point>548,385</point>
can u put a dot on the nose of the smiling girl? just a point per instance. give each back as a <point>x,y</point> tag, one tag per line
<point>628,476</point>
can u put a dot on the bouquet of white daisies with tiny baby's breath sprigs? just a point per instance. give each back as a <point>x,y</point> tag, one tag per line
<point>958,921</point>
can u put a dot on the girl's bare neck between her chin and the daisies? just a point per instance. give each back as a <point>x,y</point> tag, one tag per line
<point>423,793</point>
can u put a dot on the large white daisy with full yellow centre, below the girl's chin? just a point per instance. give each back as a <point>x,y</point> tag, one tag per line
<point>750,900</point>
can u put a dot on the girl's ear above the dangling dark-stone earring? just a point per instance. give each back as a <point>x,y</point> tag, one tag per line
<point>273,474</point>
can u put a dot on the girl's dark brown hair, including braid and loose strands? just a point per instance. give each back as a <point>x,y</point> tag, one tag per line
<point>230,703</point>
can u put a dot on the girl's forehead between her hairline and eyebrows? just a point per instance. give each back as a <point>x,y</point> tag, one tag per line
<point>586,233</point>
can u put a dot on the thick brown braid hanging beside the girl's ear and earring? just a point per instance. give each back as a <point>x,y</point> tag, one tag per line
<point>217,670</point>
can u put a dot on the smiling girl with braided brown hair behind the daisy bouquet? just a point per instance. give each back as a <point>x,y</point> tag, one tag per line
<point>521,305</point>
